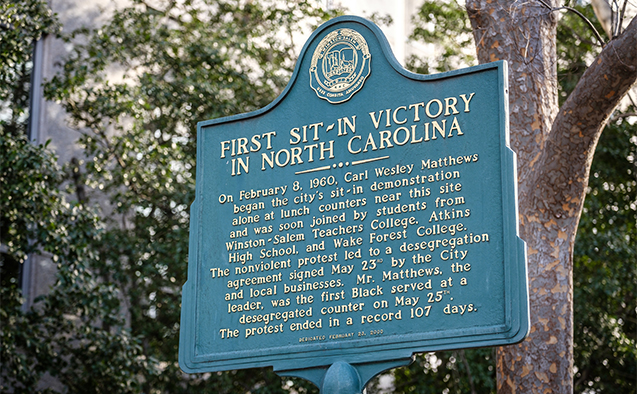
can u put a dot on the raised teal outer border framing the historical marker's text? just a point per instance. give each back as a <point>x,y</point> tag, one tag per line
<point>374,350</point>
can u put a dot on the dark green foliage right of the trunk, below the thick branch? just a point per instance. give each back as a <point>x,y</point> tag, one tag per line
<point>605,272</point>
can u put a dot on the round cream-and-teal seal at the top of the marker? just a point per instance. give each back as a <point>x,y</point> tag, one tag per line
<point>340,64</point>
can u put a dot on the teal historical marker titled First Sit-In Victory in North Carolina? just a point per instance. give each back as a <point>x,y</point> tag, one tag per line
<point>366,214</point>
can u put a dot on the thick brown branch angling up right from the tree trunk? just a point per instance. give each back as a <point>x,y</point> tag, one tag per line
<point>579,123</point>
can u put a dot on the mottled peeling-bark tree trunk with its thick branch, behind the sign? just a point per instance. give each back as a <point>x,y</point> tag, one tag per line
<point>555,149</point>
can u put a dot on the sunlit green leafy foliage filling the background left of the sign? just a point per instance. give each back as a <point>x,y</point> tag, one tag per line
<point>137,87</point>
